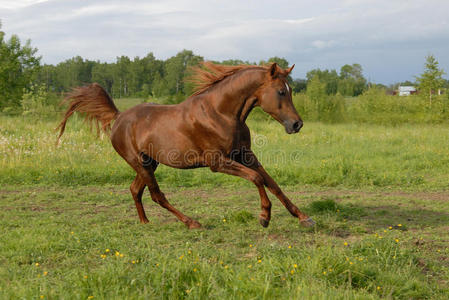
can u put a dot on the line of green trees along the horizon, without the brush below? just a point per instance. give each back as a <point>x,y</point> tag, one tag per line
<point>21,72</point>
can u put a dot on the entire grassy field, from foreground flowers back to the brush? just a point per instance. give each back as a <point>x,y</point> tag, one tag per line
<point>379,194</point>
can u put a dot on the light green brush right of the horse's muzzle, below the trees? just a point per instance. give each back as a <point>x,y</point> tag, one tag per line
<point>373,106</point>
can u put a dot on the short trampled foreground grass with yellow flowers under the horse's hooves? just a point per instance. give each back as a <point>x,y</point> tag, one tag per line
<point>351,254</point>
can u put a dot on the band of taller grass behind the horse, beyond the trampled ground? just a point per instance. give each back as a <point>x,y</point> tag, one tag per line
<point>347,155</point>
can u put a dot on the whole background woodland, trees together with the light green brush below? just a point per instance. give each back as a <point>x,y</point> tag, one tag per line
<point>29,87</point>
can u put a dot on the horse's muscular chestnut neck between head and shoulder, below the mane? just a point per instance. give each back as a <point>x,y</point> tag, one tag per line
<point>233,97</point>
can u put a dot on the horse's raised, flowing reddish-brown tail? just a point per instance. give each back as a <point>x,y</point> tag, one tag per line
<point>94,102</point>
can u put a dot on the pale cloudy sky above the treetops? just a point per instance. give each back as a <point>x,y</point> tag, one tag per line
<point>389,38</point>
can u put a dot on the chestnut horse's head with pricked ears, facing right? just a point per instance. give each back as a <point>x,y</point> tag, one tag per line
<point>275,98</point>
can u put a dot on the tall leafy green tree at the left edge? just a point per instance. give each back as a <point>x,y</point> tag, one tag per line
<point>18,67</point>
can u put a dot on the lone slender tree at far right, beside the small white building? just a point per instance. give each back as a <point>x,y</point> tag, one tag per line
<point>432,78</point>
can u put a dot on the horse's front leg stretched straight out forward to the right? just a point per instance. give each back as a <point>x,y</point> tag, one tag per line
<point>250,160</point>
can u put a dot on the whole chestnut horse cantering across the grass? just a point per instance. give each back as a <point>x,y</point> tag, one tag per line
<point>206,130</point>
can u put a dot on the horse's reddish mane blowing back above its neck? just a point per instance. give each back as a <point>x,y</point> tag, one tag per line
<point>208,74</point>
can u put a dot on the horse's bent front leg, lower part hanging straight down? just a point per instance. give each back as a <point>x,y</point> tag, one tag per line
<point>231,167</point>
